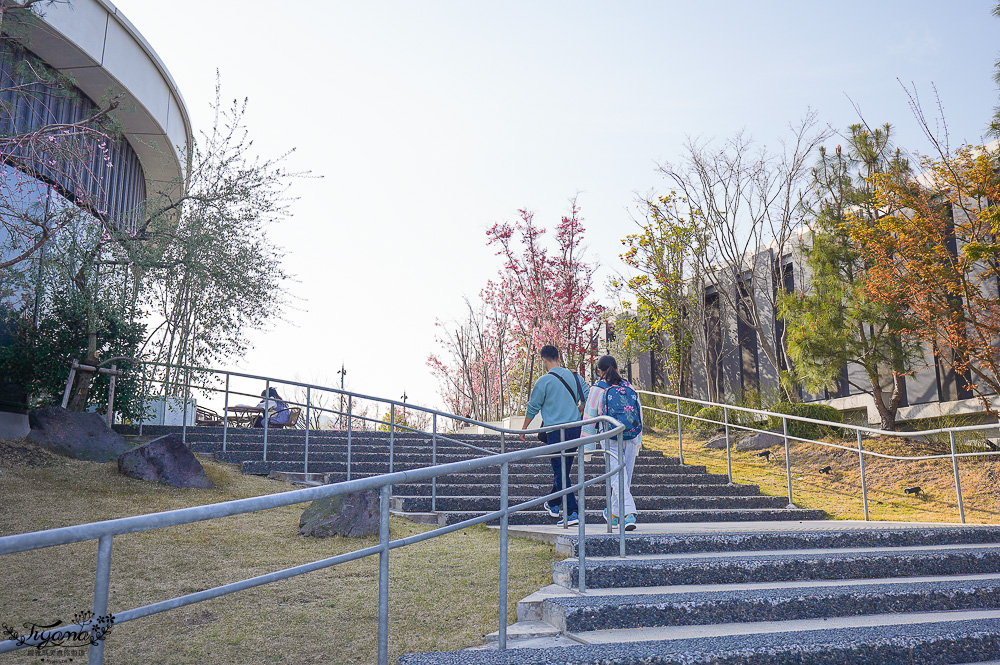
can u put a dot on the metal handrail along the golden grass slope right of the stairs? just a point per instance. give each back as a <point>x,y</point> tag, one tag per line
<point>858,429</point>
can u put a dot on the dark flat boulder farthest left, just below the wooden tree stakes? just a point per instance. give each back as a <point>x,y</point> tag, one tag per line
<point>83,436</point>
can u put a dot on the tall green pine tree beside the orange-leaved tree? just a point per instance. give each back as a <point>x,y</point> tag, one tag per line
<point>835,321</point>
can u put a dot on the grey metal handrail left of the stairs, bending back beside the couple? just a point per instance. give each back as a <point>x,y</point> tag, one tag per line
<point>105,531</point>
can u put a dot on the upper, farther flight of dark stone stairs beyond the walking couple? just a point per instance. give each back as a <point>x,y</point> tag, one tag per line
<point>665,490</point>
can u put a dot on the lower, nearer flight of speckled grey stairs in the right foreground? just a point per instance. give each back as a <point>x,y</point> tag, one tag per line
<point>880,595</point>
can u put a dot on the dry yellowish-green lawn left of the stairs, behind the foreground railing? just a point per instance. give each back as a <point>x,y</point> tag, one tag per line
<point>443,592</point>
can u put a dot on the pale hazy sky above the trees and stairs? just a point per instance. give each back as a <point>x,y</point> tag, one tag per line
<point>428,122</point>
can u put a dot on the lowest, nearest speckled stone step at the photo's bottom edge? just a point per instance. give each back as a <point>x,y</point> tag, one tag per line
<point>895,639</point>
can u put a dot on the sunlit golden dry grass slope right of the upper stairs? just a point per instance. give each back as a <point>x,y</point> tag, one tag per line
<point>839,492</point>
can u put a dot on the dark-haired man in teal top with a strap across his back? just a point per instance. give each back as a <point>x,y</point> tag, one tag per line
<point>555,395</point>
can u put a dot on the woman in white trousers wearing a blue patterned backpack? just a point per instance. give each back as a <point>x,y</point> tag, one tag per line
<point>613,396</point>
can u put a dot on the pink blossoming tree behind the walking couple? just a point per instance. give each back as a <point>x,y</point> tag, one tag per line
<point>541,296</point>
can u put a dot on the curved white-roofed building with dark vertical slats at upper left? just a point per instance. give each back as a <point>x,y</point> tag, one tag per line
<point>105,56</point>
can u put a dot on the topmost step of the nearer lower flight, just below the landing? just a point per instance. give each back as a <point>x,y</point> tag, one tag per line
<point>607,545</point>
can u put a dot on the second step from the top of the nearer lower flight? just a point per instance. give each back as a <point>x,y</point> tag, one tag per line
<point>861,563</point>
